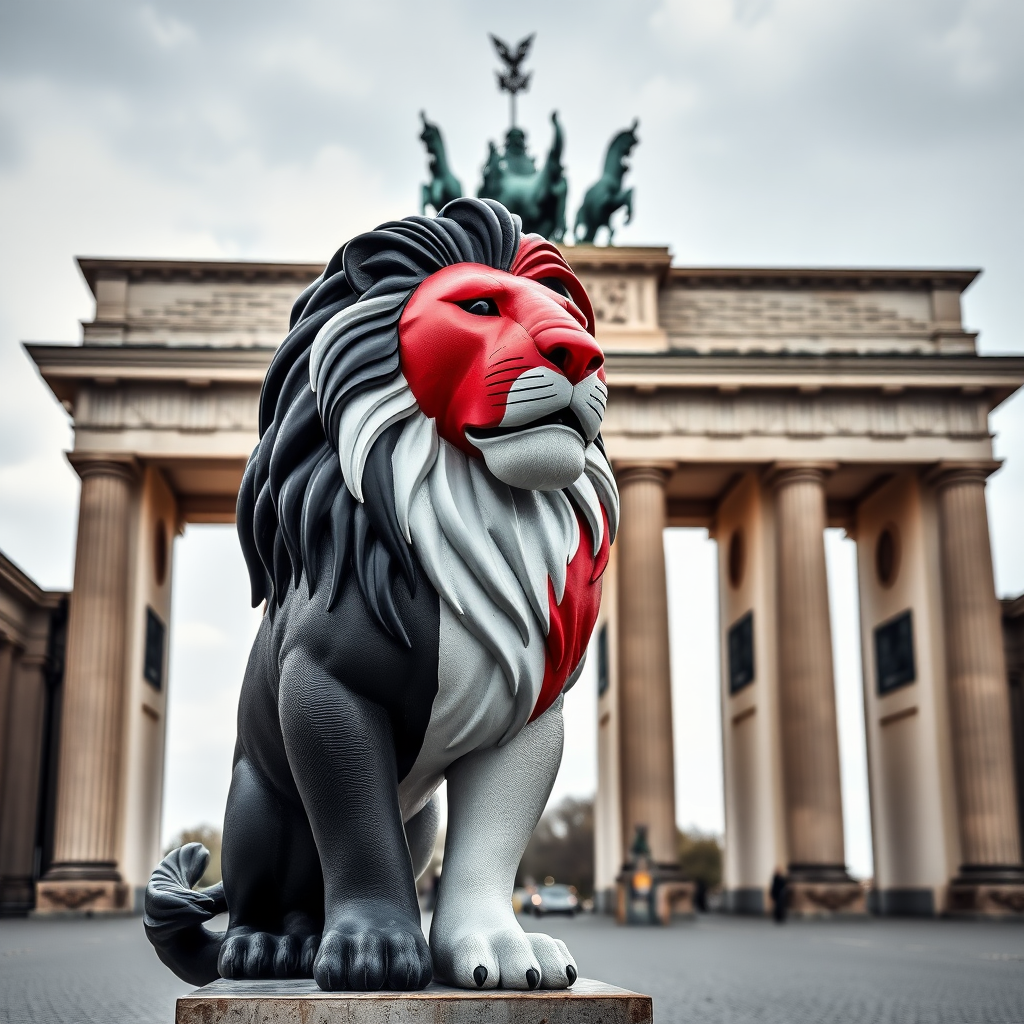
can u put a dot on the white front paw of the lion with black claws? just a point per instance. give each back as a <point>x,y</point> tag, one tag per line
<point>508,958</point>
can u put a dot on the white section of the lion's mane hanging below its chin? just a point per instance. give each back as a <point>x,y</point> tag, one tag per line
<point>489,549</point>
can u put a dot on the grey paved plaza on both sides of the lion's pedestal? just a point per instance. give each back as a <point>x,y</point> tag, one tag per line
<point>715,969</point>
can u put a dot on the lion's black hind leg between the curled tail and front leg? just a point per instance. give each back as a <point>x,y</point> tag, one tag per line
<point>272,883</point>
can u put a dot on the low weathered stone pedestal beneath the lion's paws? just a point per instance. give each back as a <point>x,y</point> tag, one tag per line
<point>303,1003</point>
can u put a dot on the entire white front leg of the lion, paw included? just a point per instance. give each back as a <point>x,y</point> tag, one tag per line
<point>496,798</point>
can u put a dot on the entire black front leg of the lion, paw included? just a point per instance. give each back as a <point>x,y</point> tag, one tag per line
<point>343,758</point>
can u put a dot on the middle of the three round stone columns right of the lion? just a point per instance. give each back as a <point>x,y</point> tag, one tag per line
<point>807,700</point>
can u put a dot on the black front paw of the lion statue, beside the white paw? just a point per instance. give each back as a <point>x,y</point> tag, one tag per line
<point>361,956</point>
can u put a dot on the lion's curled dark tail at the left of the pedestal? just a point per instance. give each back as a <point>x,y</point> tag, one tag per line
<point>176,914</point>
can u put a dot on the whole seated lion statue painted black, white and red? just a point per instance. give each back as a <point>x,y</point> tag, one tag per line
<point>428,517</point>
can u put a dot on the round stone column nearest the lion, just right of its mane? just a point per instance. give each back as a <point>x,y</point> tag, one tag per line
<point>649,791</point>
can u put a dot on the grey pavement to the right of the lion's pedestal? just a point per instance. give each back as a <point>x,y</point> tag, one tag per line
<point>731,970</point>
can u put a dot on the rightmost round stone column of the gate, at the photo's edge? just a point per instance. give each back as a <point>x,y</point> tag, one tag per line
<point>979,700</point>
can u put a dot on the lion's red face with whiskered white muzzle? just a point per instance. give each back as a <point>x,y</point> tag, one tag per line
<point>492,354</point>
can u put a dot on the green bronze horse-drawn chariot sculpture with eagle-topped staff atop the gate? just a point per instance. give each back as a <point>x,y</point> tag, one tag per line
<point>513,179</point>
